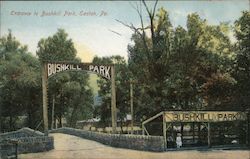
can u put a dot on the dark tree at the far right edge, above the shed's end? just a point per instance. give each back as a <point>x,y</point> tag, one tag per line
<point>242,69</point>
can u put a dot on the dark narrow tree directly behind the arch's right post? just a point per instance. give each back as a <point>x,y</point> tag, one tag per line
<point>122,77</point>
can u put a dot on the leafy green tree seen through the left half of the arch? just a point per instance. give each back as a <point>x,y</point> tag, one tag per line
<point>78,97</point>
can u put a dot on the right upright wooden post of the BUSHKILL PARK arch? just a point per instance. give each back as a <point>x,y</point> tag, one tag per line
<point>113,100</point>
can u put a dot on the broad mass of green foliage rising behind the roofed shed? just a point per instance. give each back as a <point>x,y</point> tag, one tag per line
<point>185,69</point>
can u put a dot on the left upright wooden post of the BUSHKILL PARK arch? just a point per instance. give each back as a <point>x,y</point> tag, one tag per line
<point>45,98</point>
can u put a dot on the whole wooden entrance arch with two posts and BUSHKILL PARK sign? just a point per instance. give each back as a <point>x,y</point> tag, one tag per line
<point>51,68</point>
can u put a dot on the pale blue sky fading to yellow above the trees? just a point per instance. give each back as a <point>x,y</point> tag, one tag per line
<point>92,25</point>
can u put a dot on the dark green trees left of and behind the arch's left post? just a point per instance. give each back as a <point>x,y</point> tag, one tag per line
<point>20,84</point>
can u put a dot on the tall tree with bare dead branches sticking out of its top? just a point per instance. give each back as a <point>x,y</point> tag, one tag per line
<point>150,55</point>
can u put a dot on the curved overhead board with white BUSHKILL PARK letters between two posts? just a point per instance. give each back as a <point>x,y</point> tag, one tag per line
<point>102,70</point>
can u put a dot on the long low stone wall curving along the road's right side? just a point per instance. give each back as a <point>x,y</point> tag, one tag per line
<point>137,142</point>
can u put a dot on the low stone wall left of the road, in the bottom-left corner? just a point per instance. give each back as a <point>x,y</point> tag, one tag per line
<point>27,140</point>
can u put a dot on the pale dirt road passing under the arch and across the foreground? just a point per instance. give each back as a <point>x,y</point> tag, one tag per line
<point>71,147</point>
